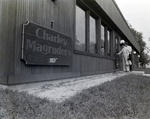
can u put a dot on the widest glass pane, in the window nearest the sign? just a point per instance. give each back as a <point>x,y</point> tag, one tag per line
<point>80,29</point>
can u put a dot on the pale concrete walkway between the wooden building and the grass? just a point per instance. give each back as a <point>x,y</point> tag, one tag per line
<point>59,90</point>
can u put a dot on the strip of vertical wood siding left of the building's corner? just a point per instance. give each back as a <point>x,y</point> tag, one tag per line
<point>7,35</point>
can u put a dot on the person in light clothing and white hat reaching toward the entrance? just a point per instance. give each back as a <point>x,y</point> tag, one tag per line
<point>125,54</point>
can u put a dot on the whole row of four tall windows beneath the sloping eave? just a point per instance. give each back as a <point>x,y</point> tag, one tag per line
<point>89,40</point>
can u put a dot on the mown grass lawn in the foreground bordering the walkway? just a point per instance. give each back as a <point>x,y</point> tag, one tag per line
<point>127,97</point>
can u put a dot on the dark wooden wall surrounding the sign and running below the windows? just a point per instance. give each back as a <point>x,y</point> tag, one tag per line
<point>14,13</point>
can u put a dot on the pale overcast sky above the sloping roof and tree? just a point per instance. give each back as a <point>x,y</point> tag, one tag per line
<point>137,13</point>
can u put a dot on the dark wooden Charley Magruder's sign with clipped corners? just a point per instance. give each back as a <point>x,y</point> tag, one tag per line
<point>43,46</point>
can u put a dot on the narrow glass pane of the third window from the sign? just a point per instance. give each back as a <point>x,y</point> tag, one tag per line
<point>102,40</point>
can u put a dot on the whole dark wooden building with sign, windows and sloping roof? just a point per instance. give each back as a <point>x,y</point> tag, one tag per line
<point>44,40</point>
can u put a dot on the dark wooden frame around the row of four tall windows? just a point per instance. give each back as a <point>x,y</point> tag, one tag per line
<point>99,22</point>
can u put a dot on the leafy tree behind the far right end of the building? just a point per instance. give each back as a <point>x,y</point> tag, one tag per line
<point>144,50</point>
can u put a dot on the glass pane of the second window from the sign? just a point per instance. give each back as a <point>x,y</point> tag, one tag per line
<point>92,35</point>
